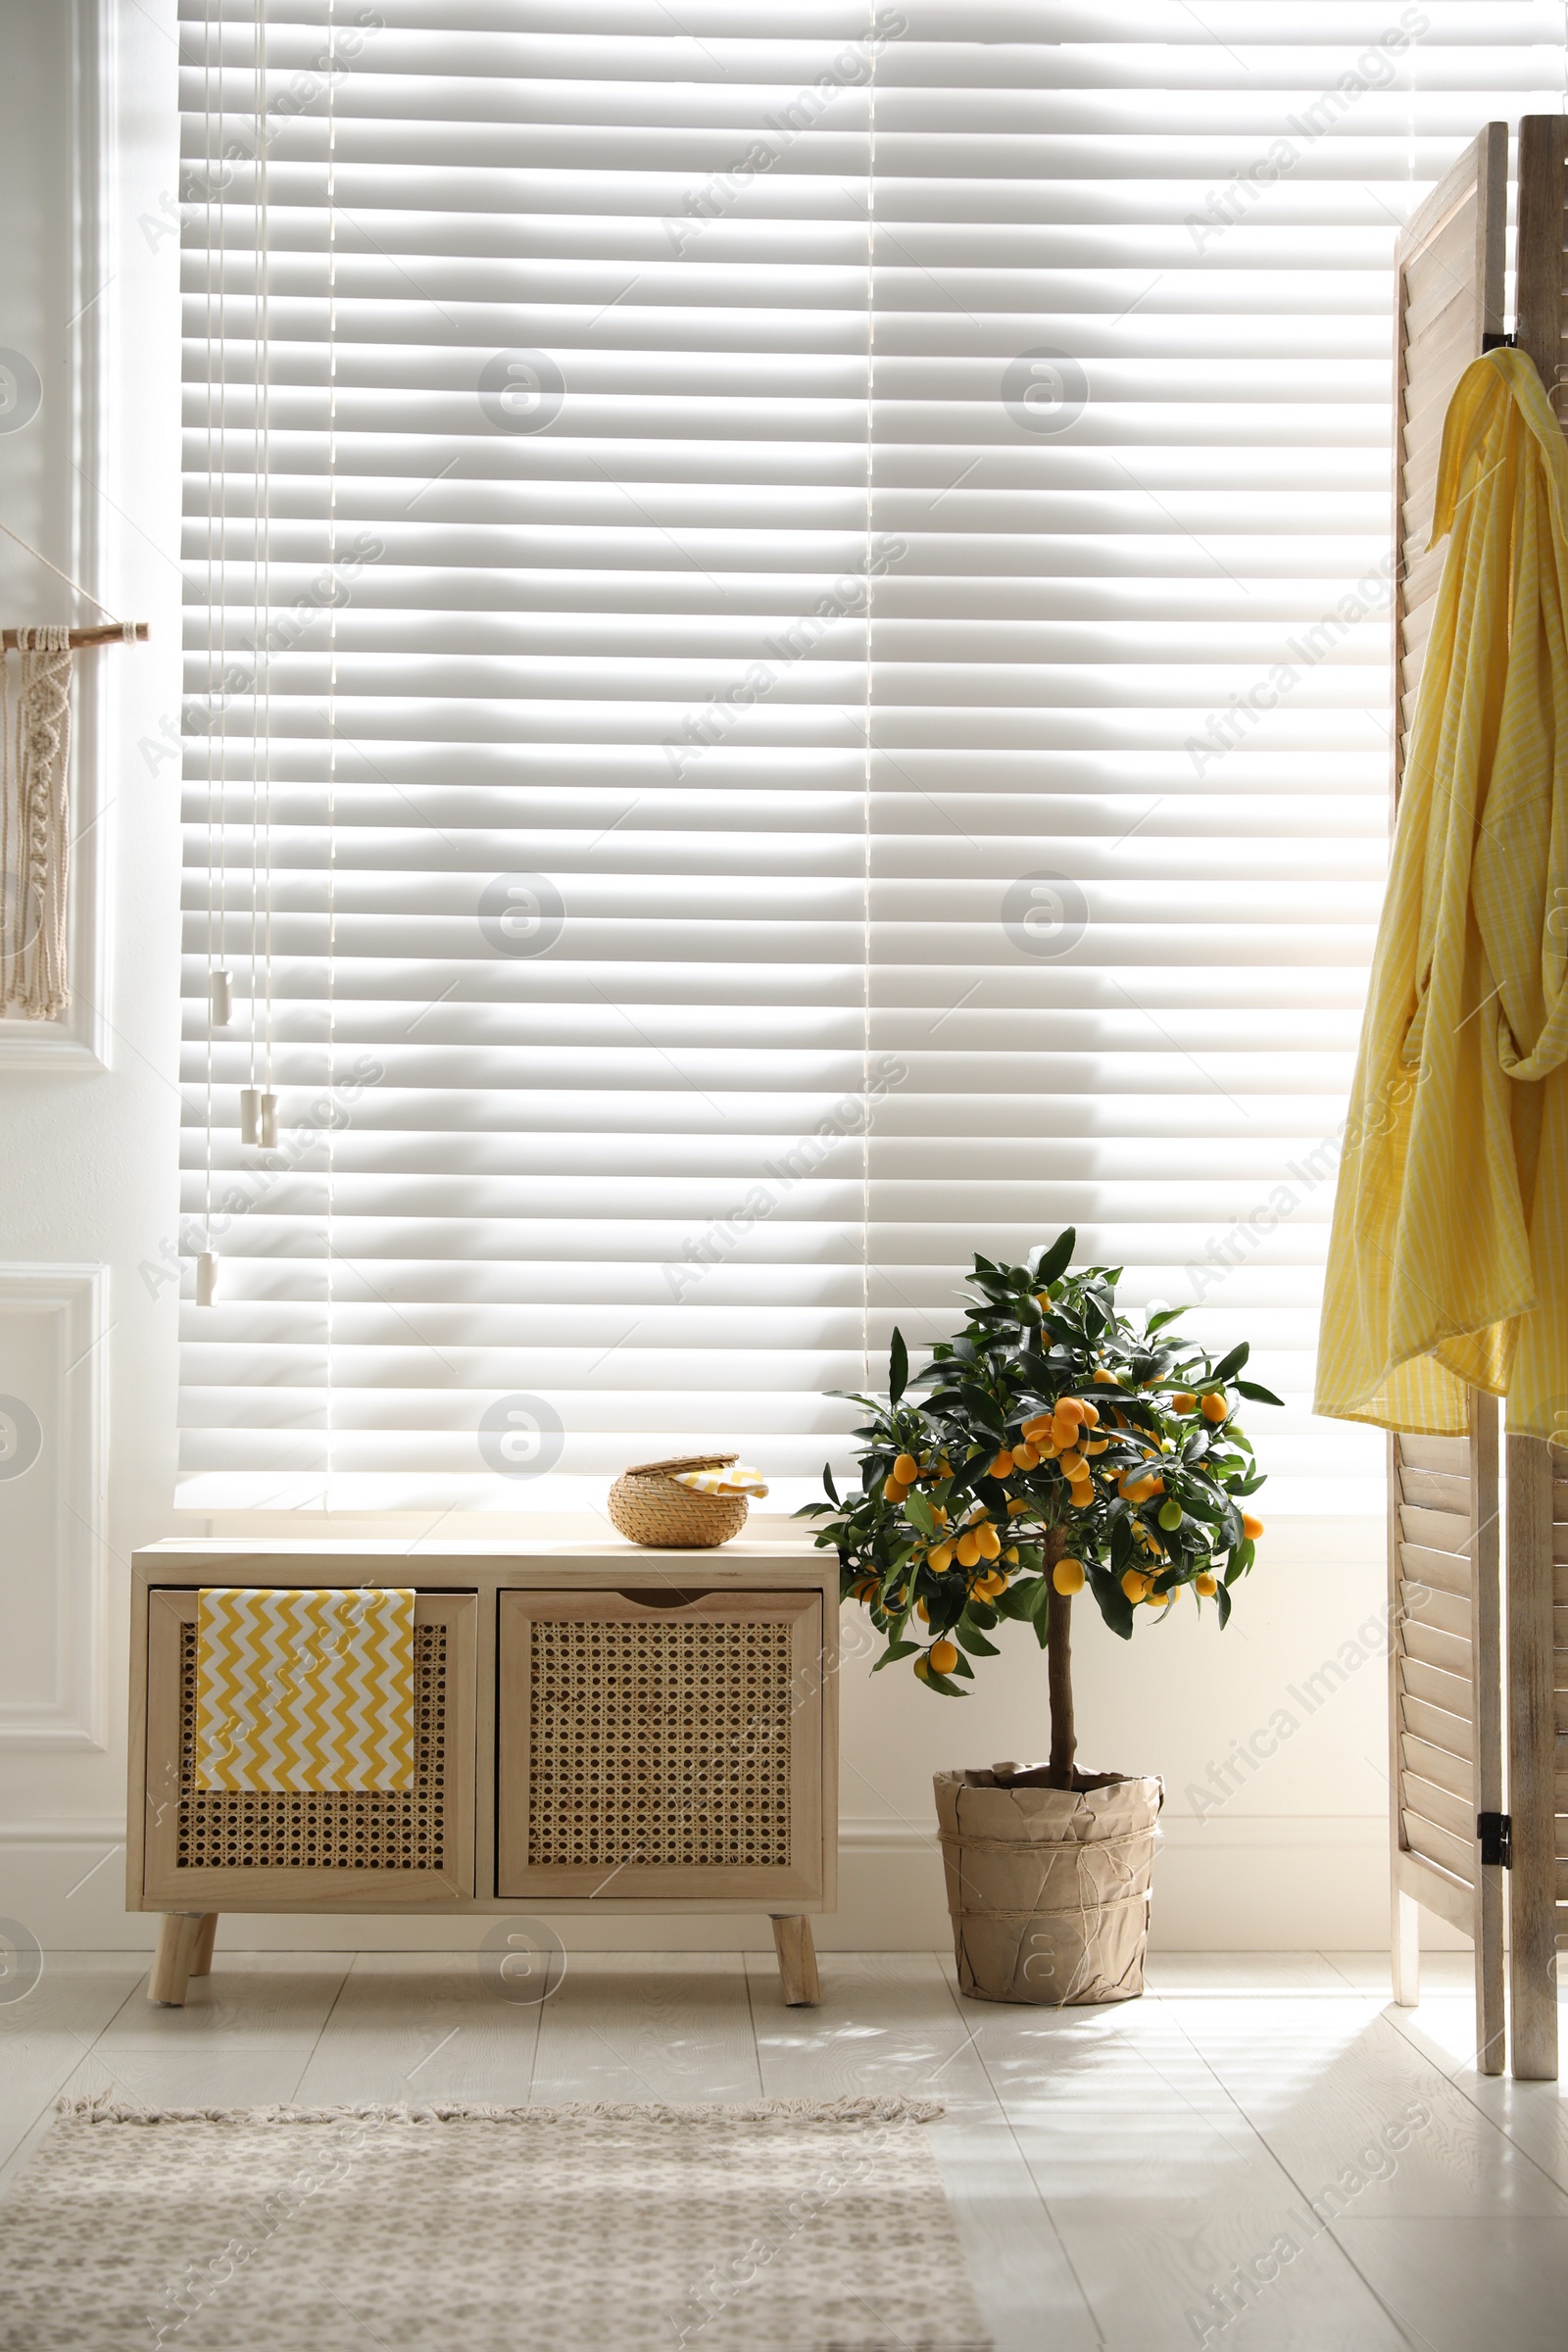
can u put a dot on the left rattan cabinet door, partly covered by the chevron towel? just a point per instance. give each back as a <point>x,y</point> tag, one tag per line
<point>222,1850</point>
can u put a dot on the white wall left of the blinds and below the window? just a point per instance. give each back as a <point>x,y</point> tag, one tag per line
<point>1296,1855</point>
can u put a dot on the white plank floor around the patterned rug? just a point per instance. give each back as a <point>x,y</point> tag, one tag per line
<point>1111,2170</point>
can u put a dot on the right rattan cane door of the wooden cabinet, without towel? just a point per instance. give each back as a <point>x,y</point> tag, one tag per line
<point>666,1753</point>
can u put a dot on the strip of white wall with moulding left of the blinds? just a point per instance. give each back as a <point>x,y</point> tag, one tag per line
<point>88,1149</point>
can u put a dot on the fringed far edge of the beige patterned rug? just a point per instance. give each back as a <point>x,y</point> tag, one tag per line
<point>107,2109</point>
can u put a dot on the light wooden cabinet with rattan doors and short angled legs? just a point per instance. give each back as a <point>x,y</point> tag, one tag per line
<point>598,1730</point>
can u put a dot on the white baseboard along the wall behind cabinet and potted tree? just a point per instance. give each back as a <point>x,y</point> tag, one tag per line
<point>1280,1883</point>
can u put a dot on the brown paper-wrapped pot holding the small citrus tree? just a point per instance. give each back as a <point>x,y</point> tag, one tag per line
<point>1050,1887</point>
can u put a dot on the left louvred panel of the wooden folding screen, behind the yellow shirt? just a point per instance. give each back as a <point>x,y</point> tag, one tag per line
<point>1445,1633</point>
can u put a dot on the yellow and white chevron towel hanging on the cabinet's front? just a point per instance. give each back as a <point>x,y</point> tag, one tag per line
<point>304,1690</point>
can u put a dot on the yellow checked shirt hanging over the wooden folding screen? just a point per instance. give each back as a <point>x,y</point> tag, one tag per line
<point>1449,1257</point>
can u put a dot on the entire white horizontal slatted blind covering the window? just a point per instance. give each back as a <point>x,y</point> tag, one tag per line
<point>786,676</point>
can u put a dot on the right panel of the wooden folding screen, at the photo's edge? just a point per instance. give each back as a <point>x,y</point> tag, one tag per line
<point>1539,1483</point>
